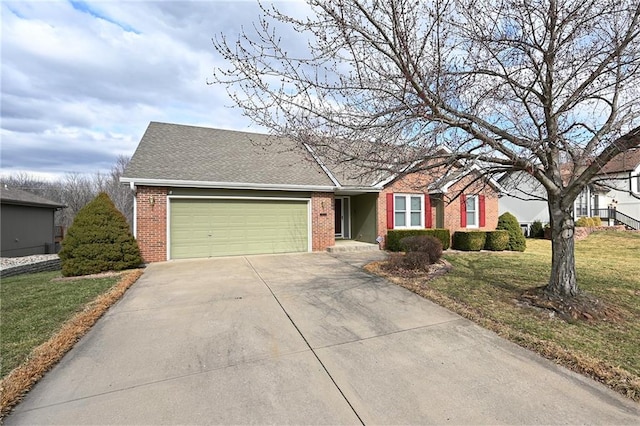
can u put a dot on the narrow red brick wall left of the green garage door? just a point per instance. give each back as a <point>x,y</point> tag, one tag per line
<point>151,222</point>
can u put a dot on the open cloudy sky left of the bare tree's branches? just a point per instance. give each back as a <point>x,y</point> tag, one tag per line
<point>81,80</point>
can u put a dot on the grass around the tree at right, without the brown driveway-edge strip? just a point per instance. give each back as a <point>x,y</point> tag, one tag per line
<point>607,266</point>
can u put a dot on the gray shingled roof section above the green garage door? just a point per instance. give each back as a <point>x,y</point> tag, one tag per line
<point>190,153</point>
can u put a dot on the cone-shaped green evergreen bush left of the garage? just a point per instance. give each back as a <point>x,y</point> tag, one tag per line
<point>98,240</point>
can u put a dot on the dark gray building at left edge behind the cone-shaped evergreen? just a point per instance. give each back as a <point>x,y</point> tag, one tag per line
<point>27,223</point>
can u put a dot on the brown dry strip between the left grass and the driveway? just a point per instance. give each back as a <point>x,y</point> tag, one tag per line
<point>21,379</point>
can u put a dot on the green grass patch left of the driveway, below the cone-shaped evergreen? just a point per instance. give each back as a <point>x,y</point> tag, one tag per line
<point>34,307</point>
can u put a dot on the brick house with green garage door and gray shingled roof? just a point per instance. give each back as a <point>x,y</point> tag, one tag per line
<point>204,192</point>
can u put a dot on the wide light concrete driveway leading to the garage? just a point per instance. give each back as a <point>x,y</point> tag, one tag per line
<point>301,339</point>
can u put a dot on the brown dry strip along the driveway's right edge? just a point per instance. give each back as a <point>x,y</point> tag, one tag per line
<point>615,378</point>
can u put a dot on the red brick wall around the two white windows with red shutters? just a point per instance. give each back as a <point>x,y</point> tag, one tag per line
<point>417,183</point>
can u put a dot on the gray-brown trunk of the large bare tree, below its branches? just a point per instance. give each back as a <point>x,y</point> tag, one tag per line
<point>563,266</point>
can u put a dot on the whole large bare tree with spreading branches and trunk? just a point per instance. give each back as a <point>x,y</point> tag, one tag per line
<point>508,85</point>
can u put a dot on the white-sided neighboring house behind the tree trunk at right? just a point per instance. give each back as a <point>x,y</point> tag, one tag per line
<point>614,193</point>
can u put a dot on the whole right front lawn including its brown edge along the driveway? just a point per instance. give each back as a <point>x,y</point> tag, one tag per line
<point>487,288</point>
